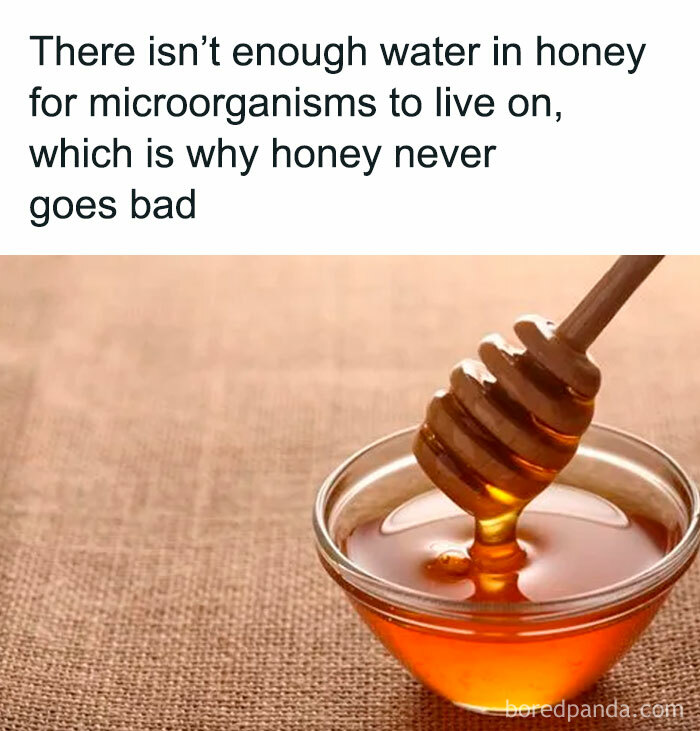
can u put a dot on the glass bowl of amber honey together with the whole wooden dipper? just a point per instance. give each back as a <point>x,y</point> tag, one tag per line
<point>507,551</point>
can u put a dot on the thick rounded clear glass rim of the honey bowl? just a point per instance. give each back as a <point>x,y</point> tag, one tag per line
<point>666,570</point>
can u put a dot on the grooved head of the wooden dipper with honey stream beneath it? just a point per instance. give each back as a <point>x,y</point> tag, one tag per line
<point>498,437</point>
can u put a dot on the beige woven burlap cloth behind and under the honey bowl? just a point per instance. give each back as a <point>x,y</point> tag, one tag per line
<point>164,424</point>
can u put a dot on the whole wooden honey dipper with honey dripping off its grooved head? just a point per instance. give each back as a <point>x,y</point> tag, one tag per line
<point>508,424</point>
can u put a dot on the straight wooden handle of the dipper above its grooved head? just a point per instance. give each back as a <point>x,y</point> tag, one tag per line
<point>599,306</point>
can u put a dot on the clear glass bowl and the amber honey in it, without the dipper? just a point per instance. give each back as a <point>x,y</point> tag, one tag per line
<point>604,544</point>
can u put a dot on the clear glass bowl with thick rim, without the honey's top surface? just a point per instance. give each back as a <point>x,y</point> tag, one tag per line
<point>490,656</point>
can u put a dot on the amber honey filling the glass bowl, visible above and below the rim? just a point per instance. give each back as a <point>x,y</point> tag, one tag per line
<point>574,541</point>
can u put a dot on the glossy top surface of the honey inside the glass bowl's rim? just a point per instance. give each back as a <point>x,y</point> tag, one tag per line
<point>568,537</point>
